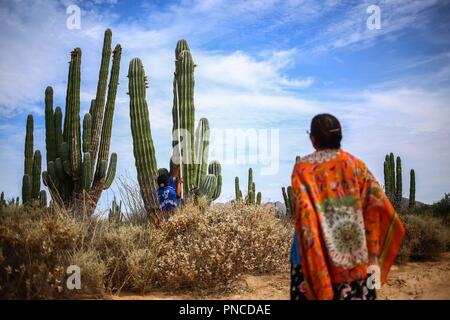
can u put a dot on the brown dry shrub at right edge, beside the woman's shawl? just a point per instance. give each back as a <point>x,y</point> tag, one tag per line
<point>426,238</point>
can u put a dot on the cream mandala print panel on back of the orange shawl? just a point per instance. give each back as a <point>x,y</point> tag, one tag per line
<point>344,235</point>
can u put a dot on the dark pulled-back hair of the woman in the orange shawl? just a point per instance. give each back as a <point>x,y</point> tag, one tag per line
<point>327,131</point>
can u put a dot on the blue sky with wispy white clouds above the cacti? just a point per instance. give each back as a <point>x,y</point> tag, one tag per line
<point>261,64</point>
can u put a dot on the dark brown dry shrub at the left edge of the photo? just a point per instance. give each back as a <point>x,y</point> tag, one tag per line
<point>34,244</point>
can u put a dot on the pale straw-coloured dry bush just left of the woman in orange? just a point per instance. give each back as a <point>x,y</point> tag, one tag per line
<point>209,248</point>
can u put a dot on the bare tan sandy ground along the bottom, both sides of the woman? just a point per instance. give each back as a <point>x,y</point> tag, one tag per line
<point>414,280</point>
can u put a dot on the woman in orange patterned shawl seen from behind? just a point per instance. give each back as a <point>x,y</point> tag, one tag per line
<point>347,231</point>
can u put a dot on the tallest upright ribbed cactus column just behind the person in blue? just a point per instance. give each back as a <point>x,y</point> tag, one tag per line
<point>183,112</point>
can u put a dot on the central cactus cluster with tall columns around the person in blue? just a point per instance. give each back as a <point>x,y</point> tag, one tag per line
<point>198,178</point>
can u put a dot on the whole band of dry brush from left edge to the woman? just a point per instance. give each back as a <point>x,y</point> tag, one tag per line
<point>200,247</point>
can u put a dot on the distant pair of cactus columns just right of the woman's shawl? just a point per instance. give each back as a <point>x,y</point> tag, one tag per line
<point>393,182</point>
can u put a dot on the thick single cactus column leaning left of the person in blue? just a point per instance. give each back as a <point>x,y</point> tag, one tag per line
<point>143,149</point>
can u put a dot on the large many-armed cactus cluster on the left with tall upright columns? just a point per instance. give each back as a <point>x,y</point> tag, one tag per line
<point>77,153</point>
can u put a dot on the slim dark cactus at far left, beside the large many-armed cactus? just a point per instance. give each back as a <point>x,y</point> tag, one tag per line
<point>31,180</point>
